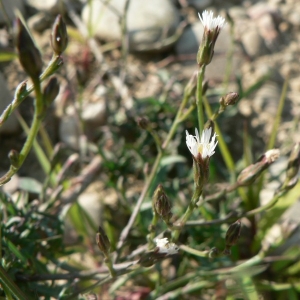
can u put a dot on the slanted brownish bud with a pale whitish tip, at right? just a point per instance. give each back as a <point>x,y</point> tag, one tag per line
<point>250,174</point>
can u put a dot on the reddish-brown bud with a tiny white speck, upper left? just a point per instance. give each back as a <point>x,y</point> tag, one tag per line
<point>59,36</point>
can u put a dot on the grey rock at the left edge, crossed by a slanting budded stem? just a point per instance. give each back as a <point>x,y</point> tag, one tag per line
<point>11,125</point>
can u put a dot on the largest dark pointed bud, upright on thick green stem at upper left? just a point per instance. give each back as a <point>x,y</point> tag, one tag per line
<point>29,55</point>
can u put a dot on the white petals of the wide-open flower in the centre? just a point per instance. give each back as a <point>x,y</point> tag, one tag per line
<point>202,146</point>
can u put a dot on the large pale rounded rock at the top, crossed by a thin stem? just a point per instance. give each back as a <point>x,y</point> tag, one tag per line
<point>147,22</point>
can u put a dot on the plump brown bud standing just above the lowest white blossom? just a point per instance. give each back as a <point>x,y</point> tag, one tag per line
<point>161,203</point>
